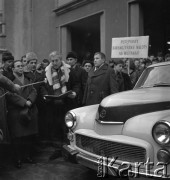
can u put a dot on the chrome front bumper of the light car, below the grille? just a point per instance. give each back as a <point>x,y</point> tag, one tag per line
<point>104,166</point>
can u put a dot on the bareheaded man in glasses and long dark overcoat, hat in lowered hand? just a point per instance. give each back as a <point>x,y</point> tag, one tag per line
<point>22,116</point>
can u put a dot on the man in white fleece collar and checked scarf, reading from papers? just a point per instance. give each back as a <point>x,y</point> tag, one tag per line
<point>57,74</point>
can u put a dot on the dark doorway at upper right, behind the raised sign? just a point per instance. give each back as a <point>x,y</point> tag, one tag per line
<point>157,24</point>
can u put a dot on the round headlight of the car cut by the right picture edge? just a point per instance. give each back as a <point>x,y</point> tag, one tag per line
<point>161,132</point>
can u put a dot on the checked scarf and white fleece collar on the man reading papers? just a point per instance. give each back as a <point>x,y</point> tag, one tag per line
<point>58,77</point>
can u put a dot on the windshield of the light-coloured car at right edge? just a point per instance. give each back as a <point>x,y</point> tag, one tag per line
<point>158,76</point>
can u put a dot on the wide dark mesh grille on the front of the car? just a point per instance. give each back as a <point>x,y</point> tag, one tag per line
<point>123,152</point>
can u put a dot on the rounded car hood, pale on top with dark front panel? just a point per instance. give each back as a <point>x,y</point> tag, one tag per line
<point>121,106</point>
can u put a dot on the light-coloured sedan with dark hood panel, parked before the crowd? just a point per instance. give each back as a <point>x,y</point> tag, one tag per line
<point>128,133</point>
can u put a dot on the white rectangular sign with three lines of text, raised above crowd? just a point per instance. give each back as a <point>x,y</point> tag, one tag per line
<point>130,47</point>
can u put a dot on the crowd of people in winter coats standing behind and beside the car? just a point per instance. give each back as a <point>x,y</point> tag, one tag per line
<point>27,114</point>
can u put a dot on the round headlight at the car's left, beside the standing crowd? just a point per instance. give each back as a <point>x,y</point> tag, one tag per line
<point>70,120</point>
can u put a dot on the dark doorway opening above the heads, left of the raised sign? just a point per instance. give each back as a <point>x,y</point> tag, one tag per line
<point>85,37</point>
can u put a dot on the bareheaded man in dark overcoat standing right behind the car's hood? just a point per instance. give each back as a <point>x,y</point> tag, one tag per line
<point>101,81</point>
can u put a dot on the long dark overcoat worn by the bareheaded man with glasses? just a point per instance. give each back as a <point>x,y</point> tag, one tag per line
<point>18,126</point>
